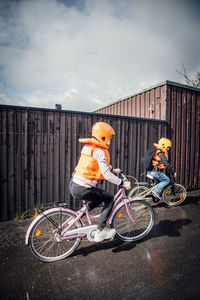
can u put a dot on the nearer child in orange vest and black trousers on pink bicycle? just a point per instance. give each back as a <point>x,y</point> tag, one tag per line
<point>94,165</point>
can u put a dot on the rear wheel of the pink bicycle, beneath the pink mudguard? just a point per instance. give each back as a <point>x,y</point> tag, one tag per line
<point>42,239</point>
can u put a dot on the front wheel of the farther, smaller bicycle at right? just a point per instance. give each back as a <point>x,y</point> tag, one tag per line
<point>174,198</point>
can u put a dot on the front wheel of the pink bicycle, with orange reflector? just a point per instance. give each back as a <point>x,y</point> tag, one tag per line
<point>134,224</point>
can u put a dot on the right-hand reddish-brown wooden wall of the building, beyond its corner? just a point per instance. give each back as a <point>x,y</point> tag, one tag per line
<point>183,116</point>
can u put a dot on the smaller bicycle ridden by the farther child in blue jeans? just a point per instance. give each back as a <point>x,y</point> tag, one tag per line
<point>173,194</point>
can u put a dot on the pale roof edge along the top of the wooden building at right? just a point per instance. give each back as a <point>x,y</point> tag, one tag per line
<point>167,82</point>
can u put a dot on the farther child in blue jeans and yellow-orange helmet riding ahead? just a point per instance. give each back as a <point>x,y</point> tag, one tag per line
<point>160,163</point>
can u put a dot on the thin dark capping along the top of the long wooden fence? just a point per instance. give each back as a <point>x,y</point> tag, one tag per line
<point>80,112</point>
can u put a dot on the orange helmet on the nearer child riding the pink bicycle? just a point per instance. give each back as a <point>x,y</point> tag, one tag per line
<point>102,132</point>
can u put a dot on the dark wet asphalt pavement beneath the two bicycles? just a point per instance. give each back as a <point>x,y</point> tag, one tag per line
<point>164,265</point>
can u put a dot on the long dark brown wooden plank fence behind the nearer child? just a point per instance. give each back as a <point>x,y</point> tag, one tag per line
<point>39,150</point>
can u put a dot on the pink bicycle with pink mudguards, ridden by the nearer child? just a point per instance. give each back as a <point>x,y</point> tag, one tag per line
<point>57,232</point>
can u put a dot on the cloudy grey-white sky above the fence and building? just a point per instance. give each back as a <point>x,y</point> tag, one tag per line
<point>85,54</point>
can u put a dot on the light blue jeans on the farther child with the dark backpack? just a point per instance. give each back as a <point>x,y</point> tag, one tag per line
<point>160,181</point>
